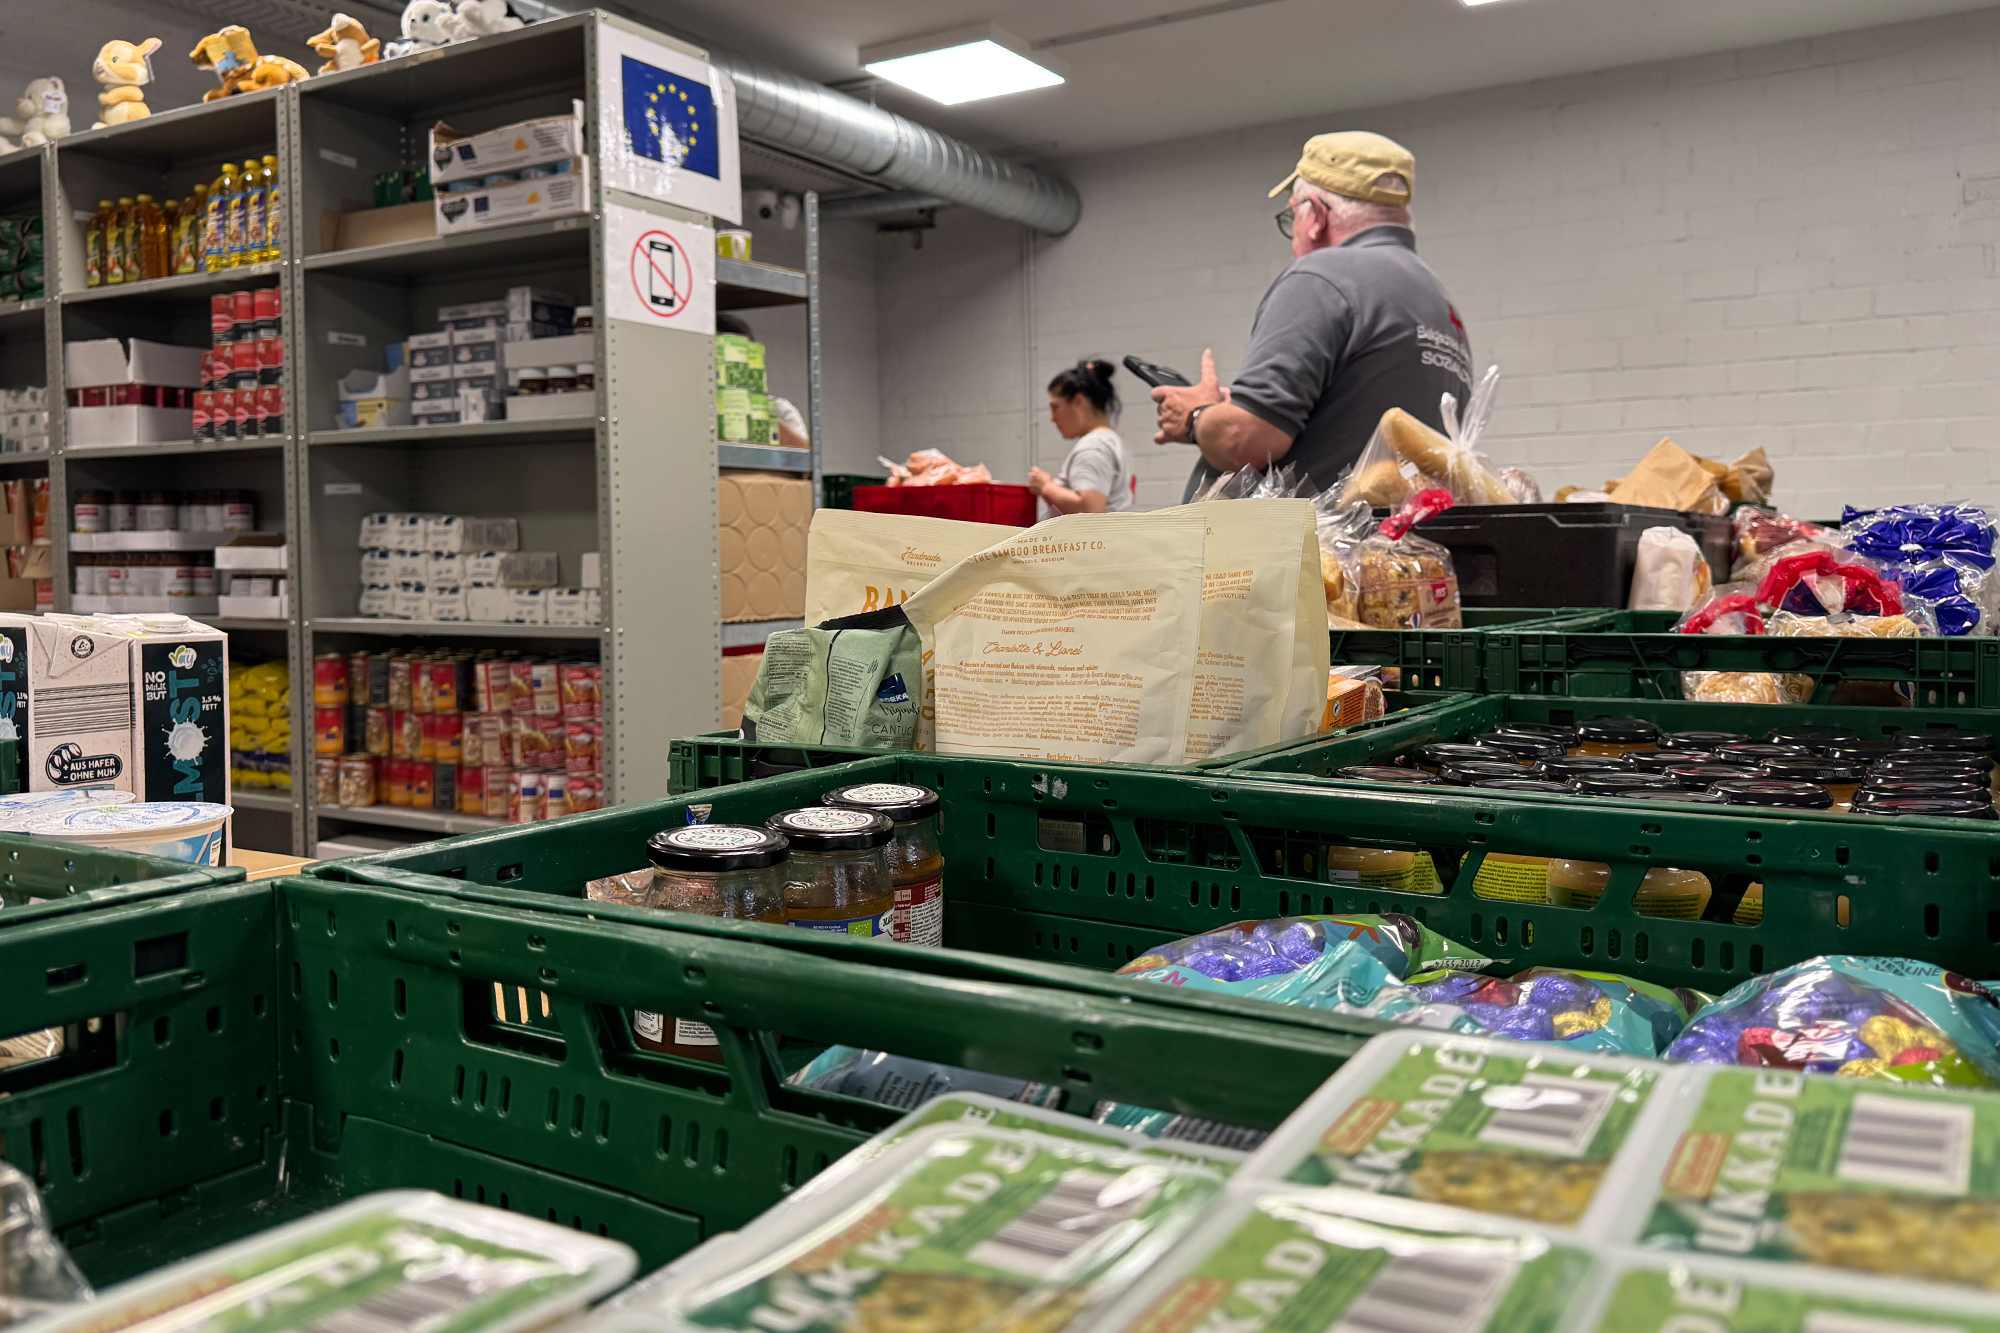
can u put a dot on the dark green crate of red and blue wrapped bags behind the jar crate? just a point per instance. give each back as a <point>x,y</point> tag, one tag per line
<point>1635,655</point>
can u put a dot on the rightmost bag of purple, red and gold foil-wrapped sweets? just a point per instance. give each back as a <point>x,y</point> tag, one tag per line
<point>1861,1018</point>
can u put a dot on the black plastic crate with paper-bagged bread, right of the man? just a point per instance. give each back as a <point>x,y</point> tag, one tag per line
<point>1561,555</point>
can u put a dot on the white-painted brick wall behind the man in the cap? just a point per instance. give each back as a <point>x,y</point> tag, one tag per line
<point>1789,247</point>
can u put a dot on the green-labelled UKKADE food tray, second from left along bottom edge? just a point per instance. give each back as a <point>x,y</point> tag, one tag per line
<point>957,1228</point>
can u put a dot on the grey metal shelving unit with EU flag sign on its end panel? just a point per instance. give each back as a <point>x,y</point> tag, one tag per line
<point>631,477</point>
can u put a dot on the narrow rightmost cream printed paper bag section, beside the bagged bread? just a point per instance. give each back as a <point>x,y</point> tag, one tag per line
<point>1257,678</point>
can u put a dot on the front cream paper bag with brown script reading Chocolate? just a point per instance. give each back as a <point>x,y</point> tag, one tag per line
<point>1075,639</point>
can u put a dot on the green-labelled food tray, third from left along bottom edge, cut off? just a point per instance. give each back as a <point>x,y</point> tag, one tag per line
<point>1309,1260</point>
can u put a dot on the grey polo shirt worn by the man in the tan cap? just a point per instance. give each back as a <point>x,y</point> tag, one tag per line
<point>1343,337</point>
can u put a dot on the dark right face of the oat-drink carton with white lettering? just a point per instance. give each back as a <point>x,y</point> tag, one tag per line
<point>181,714</point>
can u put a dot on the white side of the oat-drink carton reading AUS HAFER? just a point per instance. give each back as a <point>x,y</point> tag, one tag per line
<point>75,690</point>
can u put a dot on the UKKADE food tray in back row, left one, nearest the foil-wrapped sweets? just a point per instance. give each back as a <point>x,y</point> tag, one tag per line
<point>1499,1128</point>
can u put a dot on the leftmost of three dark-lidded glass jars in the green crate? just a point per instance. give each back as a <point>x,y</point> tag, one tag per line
<point>729,872</point>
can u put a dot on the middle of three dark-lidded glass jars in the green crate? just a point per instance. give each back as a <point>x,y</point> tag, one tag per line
<point>837,878</point>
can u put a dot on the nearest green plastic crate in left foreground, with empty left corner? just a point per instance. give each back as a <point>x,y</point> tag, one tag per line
<point>267,1050</point>
